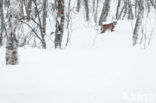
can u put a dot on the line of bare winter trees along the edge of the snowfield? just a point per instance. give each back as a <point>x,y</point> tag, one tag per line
<point>34,14</point>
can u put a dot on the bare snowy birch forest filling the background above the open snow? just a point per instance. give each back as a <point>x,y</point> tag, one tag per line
<point>36,23</point>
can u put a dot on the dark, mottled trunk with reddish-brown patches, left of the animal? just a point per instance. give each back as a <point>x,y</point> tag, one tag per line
<point>59,23</point>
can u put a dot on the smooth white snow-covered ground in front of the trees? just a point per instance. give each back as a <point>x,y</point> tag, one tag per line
<point>102,68</point>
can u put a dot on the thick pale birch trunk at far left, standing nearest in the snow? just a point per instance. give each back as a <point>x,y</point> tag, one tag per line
<point>12,43</point>
